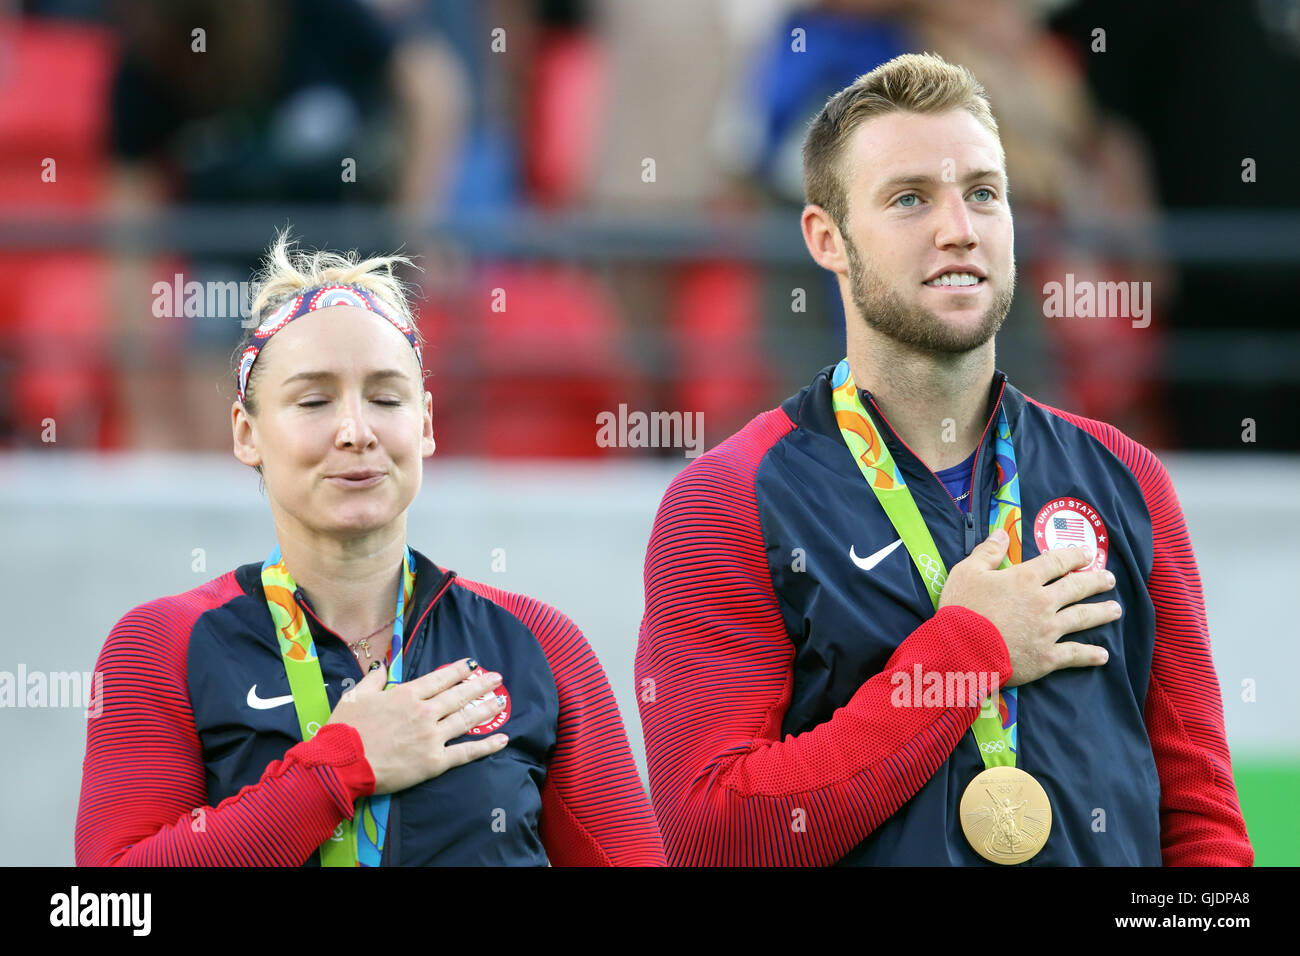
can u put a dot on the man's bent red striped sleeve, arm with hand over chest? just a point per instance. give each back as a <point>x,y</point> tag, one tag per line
<point>714,676</point>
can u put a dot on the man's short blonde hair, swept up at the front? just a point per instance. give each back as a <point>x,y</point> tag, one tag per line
<point>915,84</point>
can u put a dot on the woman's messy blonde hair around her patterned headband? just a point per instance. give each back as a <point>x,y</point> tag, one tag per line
<point>287,271</point>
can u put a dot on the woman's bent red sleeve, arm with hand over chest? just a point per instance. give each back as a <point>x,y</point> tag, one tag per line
<point>144,789</point>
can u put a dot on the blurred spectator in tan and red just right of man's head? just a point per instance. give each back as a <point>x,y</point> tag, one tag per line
<point>1072,166</point>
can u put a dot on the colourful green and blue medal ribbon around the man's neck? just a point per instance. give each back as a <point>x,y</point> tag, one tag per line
<point>996,726</point>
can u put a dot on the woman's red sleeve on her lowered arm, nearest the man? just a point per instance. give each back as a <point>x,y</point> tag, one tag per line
<point>595,810</point>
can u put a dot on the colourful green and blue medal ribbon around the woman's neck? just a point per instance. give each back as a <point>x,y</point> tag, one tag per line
<point>350,845</point>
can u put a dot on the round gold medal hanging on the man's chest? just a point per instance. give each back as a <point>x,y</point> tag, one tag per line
<point>1006,815</point>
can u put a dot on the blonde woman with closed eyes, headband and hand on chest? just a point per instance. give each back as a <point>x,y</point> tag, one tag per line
<point>348,702</point>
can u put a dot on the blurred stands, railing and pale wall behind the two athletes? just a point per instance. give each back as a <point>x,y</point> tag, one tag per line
<point>604,197</point>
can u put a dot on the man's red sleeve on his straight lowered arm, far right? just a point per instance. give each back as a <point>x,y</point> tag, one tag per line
<point>1201,819</point>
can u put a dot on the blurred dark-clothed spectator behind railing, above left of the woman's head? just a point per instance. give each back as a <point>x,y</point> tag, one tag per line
<point>271,103</point>
